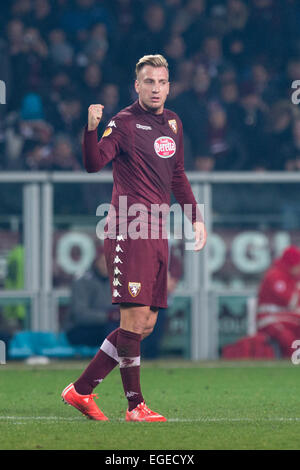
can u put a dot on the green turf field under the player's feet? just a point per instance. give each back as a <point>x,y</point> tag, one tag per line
<point>211,405</point>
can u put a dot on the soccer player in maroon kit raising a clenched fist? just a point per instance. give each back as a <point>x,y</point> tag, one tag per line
<point>145,144</point>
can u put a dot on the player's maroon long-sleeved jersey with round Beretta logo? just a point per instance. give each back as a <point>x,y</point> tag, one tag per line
<point>147,156</point>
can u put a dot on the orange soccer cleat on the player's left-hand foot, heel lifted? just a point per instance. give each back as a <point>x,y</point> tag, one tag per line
<point>83,403</point>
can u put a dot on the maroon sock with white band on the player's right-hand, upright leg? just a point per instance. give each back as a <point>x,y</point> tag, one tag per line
<point>128,348</point>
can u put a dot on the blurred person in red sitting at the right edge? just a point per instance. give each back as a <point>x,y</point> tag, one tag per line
<point>277,312</point>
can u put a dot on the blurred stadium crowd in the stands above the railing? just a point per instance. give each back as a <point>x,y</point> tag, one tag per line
<point>232,63</point>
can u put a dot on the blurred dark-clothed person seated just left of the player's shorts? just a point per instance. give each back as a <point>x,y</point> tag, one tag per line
<point>92,314</point>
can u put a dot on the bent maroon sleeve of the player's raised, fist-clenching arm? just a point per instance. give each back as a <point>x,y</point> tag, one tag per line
<point>98,154</point>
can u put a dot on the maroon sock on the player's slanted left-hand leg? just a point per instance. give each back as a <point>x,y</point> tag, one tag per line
<point>100,366</point>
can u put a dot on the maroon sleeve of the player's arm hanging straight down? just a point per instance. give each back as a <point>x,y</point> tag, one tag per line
<point>181,187</point>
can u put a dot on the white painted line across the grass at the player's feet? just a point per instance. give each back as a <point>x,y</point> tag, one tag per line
<point>18,419</point>
